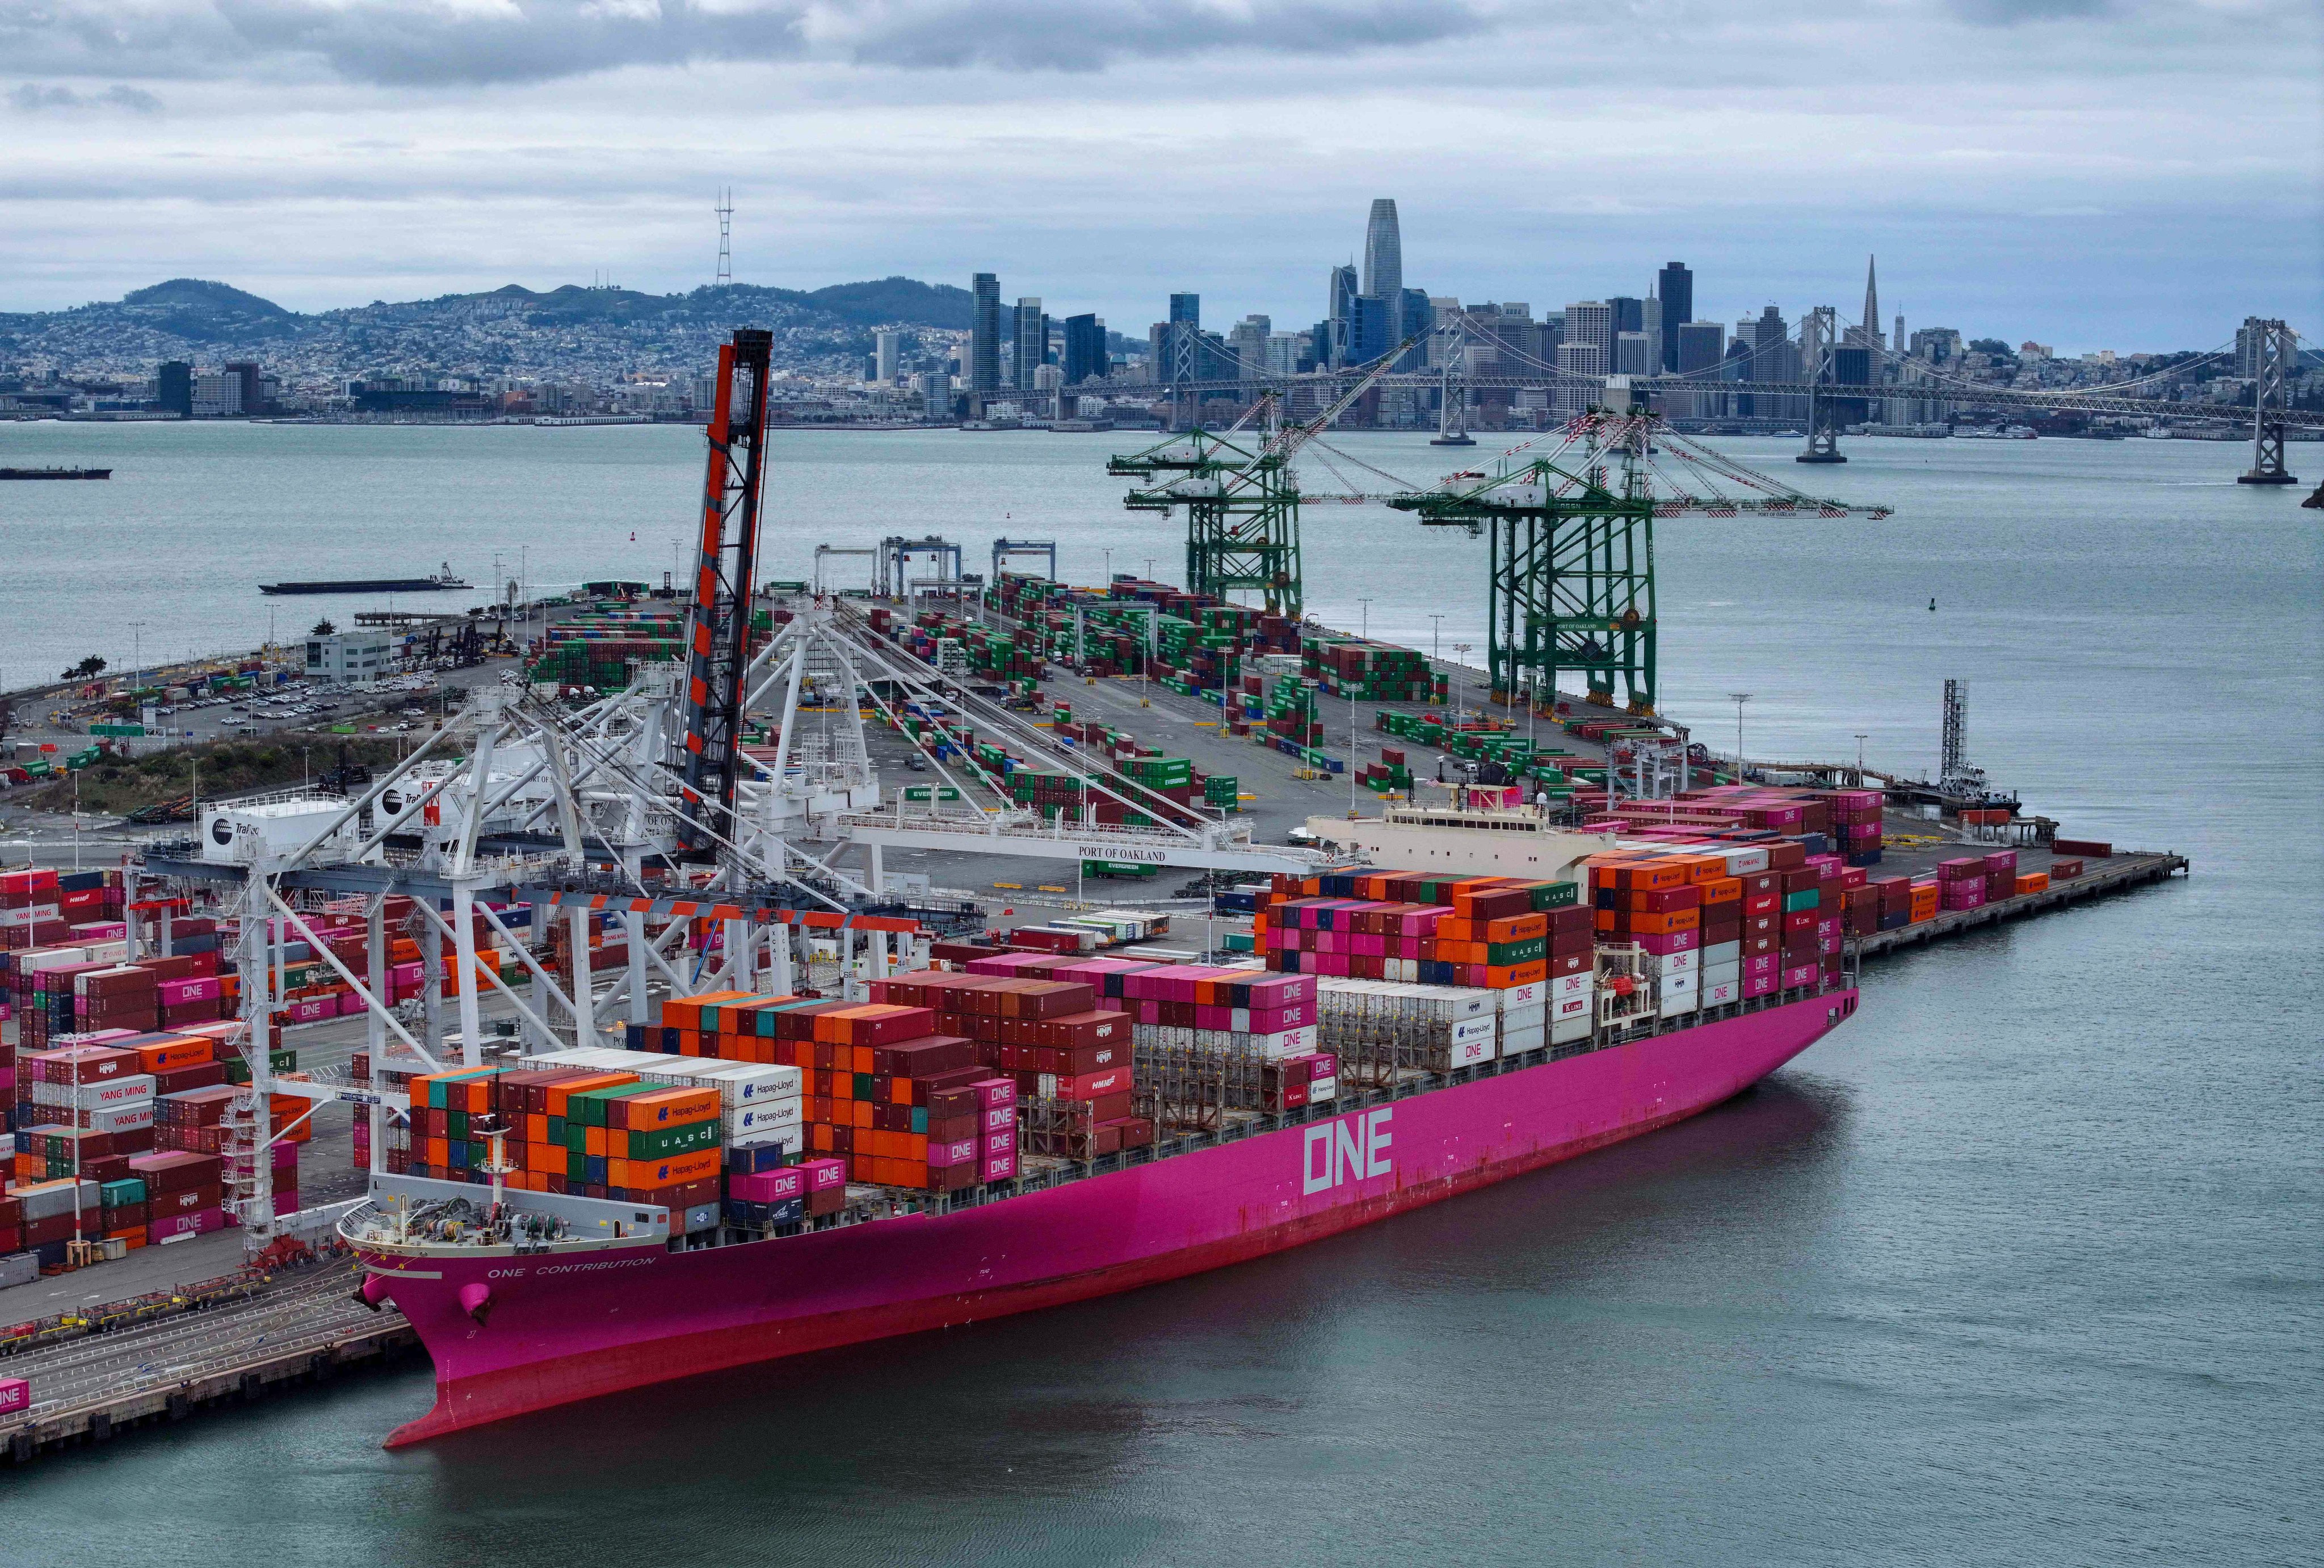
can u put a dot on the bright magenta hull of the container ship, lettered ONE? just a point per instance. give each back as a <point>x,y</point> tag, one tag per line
<point>584,1325</point>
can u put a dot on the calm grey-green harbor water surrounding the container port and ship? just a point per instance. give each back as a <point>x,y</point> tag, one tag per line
<point>2023,1265</point>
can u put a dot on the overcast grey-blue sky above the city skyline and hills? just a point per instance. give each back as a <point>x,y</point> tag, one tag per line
<point>2086,173</point>
